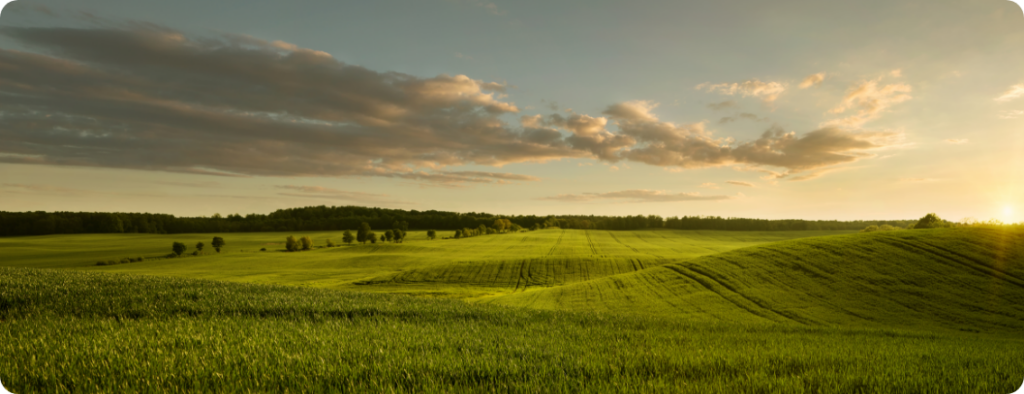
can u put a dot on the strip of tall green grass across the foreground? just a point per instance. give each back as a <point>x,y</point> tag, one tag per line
<point>65,331</point>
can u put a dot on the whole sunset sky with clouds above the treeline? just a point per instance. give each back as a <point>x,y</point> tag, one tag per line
<point>782,110</point>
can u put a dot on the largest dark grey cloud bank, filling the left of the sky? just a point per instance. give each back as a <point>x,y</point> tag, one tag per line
<point>152,99</point>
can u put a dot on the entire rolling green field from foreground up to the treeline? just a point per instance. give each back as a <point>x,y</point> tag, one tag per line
<point>917,312</point>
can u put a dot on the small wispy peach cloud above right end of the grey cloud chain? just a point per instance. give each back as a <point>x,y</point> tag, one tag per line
<point>871,101</point>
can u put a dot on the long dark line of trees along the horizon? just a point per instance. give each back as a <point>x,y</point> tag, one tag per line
<point>343,218</point>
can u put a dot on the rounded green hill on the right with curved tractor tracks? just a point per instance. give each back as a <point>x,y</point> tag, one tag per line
<point>953,279</point>
